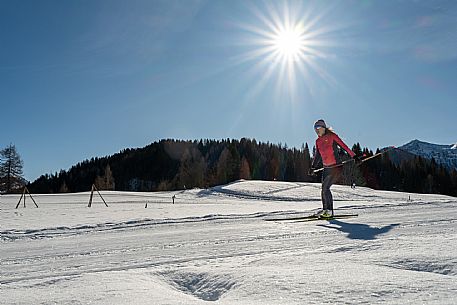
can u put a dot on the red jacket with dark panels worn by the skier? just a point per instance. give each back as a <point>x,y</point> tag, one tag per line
<point>326,149</point>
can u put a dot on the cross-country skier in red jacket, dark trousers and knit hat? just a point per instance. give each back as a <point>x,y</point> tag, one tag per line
<point>327,153</point>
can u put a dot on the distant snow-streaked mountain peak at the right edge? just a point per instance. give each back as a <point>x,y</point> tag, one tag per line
<point>443,154</point>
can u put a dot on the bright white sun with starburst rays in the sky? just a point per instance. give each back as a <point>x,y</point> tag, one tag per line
<point>288,43</point>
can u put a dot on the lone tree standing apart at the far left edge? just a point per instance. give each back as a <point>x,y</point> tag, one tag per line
<point>10,169</point>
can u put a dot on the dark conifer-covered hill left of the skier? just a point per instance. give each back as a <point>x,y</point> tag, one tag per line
<point>174,164</point>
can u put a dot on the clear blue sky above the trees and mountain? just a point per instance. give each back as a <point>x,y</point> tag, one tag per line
<point>87,78</point>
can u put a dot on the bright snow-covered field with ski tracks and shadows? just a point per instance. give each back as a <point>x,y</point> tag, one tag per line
<point>214,245</point>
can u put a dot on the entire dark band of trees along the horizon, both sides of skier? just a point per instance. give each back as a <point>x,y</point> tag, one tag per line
<point>175,164</point>
